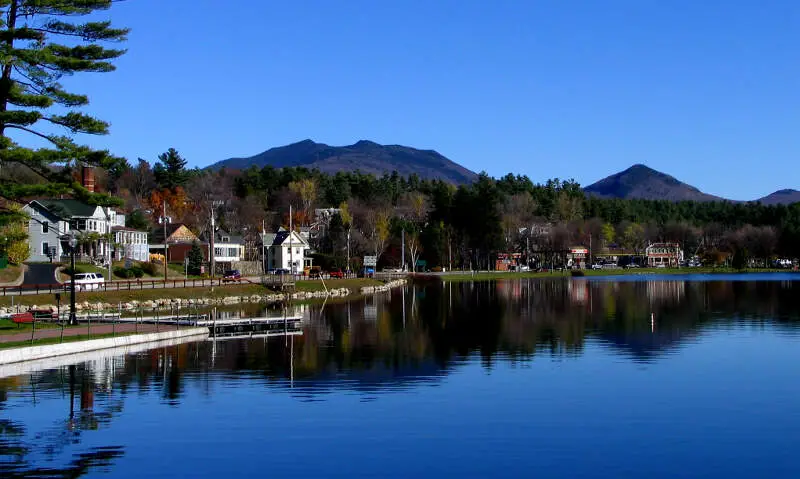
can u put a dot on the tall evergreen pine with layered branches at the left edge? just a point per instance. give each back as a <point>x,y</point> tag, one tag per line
<point>35,108</point>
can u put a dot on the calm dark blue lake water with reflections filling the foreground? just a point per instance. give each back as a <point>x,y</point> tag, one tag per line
<point>566,378</point>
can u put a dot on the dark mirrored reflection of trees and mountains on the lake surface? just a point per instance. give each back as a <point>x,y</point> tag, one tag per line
<point>411,338</point>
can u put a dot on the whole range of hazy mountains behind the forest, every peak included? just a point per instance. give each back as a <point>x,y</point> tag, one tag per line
<point>637,182</point>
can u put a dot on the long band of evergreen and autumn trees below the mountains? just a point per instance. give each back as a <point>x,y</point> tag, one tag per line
<point>440,223</point>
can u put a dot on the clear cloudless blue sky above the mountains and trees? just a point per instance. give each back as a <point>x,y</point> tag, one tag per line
<point>704,90</point>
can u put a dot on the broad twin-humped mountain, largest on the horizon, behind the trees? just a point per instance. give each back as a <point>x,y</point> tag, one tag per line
<point>364,155</point>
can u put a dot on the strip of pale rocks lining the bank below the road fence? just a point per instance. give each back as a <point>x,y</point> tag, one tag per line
<point>222,301</point>
